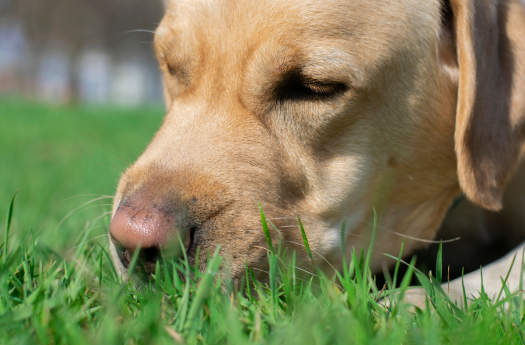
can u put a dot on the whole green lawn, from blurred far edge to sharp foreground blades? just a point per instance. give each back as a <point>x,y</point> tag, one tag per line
<point>57,285</point>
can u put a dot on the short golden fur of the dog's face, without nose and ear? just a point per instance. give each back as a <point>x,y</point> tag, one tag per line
<point>232,138</point>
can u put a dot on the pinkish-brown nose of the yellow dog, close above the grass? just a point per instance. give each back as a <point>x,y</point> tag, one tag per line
<point>150,228</point>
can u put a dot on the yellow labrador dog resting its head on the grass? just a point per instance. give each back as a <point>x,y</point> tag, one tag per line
<point>325,110</point>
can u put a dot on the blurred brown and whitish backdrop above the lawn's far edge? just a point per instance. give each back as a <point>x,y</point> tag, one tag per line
<point>90,51</point>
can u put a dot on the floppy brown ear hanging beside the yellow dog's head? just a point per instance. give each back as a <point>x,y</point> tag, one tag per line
<point>488,45</point>
